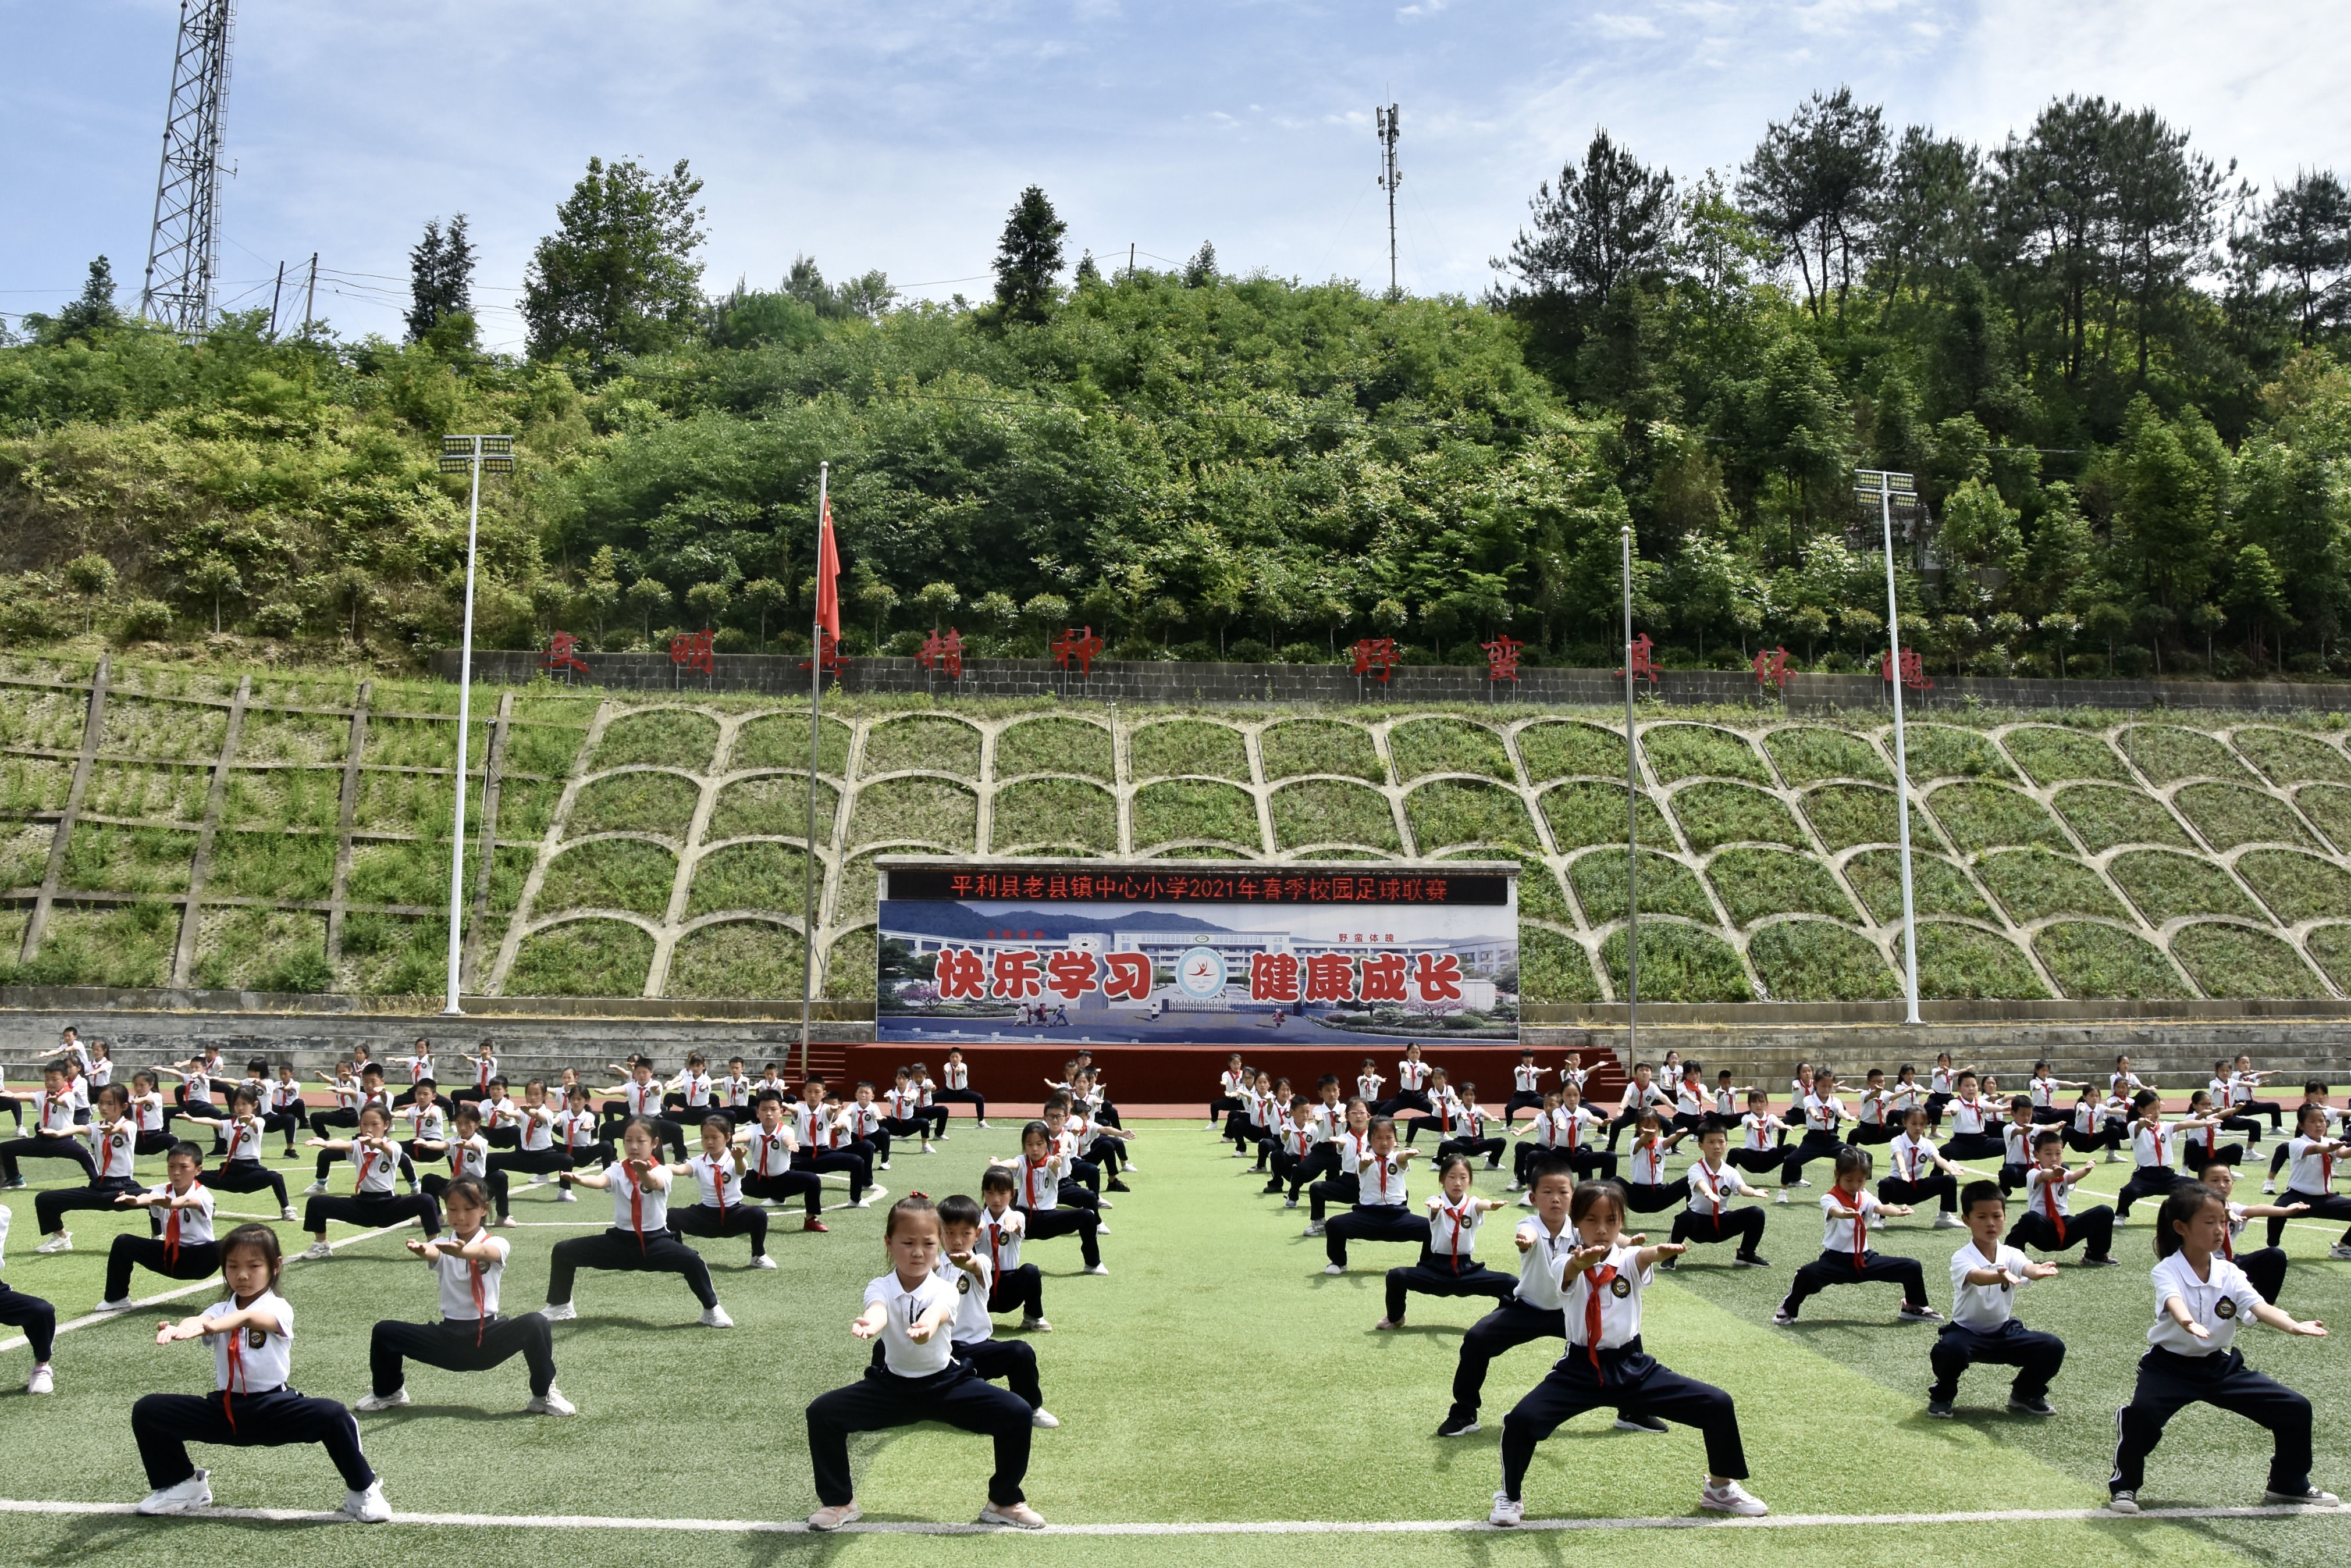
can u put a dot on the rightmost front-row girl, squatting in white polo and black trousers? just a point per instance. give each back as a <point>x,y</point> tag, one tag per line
<point>2202,1299</point>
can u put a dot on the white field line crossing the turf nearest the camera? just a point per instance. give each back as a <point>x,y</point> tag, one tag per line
<point>1268,1527</point>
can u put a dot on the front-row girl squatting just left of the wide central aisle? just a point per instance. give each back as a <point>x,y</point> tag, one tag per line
<point>911,1311</point>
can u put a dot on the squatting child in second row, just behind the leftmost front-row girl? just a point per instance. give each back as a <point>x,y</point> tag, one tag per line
<point>471,1336</point>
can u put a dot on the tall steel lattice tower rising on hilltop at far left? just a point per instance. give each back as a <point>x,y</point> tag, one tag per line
<point>185,246</point>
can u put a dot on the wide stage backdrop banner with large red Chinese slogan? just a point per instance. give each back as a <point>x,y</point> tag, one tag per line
<point>1195,953</point>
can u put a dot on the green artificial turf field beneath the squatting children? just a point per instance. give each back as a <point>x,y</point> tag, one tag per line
<point>1214,1376</point>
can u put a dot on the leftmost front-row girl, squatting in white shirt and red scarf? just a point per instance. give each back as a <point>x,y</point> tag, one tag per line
<point>253,1348</point>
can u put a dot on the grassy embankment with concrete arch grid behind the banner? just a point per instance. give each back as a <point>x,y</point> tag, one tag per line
<point>657,847</point>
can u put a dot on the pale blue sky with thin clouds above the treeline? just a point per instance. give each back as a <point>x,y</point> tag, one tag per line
<point>897,133</point>
